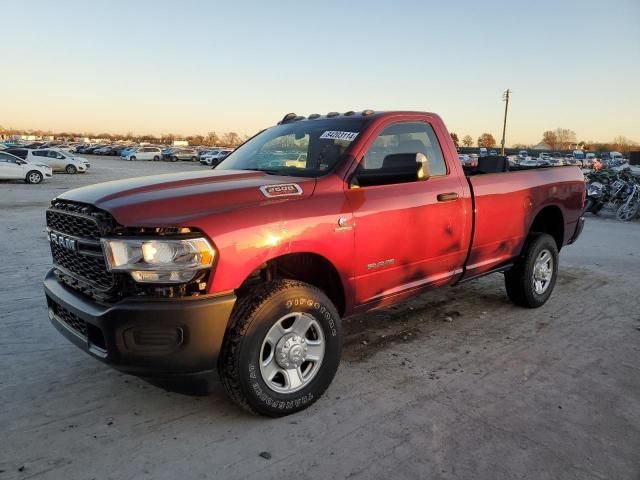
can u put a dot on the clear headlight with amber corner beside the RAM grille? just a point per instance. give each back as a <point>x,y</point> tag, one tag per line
<point>158,260</point>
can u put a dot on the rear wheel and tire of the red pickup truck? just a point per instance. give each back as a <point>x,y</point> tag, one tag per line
<point>532,279</point>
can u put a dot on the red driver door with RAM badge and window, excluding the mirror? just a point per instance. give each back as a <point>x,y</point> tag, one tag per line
<point>412,234</point>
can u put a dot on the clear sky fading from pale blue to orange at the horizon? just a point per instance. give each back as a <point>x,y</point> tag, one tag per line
<point>190,67</point>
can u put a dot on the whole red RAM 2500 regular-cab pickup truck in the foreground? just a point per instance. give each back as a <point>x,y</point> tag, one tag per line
<point>247,269</point>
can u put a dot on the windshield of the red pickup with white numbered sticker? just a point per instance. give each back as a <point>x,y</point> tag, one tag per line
<point>304,148</point>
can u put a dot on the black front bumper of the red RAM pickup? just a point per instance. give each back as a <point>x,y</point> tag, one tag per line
<point>146,337</point>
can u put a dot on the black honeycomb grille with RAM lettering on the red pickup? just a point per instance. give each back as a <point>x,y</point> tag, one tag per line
<point>85,262</point>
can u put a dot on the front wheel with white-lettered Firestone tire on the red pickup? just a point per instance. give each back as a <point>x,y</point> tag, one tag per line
<point>282,349</point>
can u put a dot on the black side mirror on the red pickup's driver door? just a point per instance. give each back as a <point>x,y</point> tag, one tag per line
<point>396,168</point>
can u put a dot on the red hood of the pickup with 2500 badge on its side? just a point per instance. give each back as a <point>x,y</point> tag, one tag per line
<point>175,199</point>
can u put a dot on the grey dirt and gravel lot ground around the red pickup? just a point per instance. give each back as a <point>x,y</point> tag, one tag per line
<point>457,383</point>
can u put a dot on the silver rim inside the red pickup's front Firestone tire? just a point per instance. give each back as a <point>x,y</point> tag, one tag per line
<point>292,352</point>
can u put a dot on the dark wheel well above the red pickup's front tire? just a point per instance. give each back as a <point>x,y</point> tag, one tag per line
<point>306,267</point>
